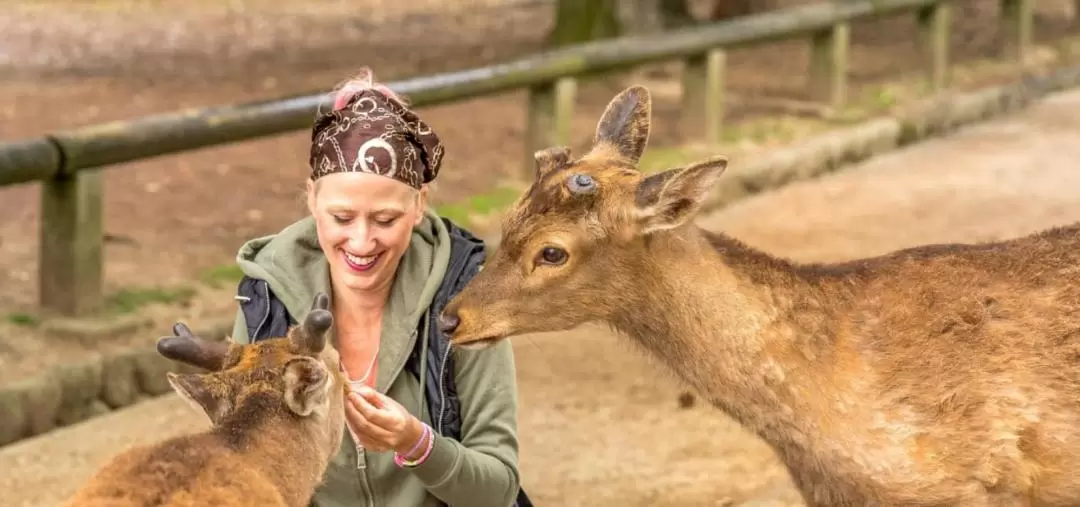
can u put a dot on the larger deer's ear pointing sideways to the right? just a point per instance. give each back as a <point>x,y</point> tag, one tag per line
<point>670,199</point>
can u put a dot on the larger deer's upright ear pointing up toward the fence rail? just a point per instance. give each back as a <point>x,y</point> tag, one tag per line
<point>625,126</point>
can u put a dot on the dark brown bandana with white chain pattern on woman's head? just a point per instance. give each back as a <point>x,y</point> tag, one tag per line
<point>375,135</point>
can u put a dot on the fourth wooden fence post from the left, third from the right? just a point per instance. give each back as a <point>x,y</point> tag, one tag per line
<point>829,65</point>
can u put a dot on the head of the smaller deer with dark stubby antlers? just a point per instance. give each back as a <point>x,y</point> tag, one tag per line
<point>295,376</point>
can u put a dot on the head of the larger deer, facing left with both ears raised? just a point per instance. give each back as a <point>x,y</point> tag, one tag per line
<point>585,236</point>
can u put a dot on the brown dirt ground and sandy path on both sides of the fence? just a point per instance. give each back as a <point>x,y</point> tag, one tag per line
<point>592,430</point>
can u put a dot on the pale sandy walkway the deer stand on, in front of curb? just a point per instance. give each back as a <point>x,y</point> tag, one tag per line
<point>630,445</point>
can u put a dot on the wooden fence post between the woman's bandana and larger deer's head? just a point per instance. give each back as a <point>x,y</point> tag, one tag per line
<point>549,122</point>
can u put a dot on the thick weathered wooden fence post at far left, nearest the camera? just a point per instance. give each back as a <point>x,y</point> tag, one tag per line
<point>70,271</point>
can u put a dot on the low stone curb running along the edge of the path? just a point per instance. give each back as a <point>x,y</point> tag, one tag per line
<point>73,393</point>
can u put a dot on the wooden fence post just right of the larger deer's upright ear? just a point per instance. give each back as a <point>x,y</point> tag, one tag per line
<point>704,97</point>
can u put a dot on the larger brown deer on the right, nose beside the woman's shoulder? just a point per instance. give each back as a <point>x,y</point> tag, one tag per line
<point>940,376</point>
